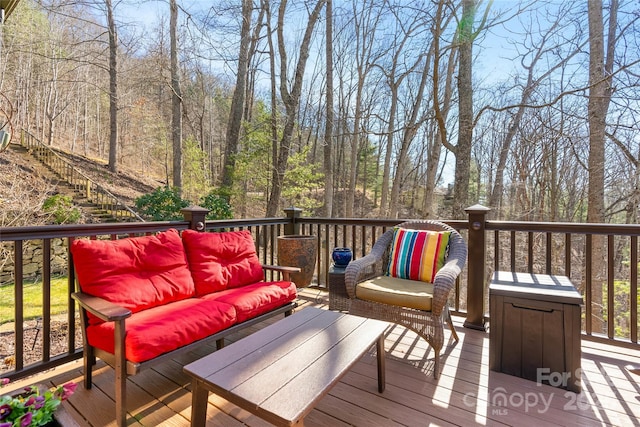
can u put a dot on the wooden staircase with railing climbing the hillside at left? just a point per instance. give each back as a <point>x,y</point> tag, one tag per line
<point>93,198</point>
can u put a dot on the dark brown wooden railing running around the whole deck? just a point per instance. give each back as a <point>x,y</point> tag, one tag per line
<point>29,345</point>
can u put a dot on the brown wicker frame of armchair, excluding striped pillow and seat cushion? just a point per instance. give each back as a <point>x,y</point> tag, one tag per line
<point>427,324</point>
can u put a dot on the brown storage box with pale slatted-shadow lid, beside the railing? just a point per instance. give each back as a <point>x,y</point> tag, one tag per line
<point>535,328</point>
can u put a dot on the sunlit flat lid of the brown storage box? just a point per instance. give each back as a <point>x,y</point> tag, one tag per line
<point>541,287</point>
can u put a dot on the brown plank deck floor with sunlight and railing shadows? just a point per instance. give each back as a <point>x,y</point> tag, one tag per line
<point>466,394</point>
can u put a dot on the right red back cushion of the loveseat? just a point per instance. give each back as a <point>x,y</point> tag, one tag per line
<point>221,260</point>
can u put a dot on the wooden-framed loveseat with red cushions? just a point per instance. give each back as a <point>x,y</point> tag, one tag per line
<point>145,299</point>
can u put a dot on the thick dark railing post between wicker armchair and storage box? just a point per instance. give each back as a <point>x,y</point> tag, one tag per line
<point>476,267</point>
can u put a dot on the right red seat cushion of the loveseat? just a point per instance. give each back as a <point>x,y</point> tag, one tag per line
<point>253,300</point>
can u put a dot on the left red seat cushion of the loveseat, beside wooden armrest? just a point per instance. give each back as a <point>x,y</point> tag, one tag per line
<point>159,330</point>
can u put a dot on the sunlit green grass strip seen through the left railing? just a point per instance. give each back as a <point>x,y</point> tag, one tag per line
<point>33,299</point>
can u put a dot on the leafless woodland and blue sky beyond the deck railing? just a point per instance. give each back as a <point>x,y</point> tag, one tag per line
<point>352,108</point>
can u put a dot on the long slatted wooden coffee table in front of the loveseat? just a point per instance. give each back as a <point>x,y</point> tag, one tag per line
<point>280,372</point>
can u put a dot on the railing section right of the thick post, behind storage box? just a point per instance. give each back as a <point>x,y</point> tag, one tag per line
<point>600,259</point>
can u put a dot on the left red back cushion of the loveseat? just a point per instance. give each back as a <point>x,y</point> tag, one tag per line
<point>136,272</point>
